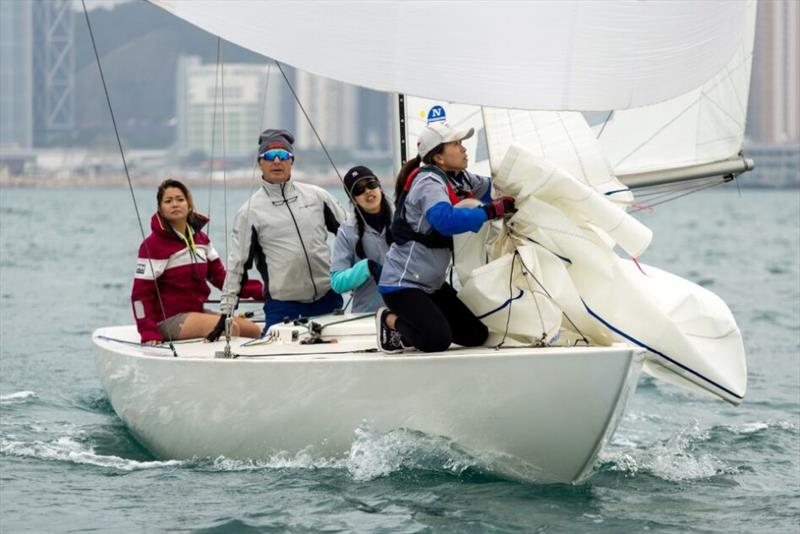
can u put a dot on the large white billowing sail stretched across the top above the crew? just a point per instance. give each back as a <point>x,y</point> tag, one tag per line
<point>548,55</point>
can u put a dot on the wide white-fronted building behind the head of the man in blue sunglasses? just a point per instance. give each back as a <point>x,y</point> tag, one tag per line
<point>247,109</point>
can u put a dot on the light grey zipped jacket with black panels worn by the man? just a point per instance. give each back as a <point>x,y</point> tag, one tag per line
<point>283,230</point>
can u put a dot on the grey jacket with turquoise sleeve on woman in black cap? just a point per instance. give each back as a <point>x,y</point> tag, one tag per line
<point>349,272</point>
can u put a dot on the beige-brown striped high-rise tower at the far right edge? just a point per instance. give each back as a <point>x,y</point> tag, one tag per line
<point>774,104</point>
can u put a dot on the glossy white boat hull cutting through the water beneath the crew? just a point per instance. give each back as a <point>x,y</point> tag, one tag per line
<point>540,414</point>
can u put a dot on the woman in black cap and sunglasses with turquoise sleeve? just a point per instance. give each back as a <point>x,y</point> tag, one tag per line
<point>362,241</point>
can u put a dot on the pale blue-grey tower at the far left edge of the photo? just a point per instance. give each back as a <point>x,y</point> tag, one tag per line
<point>16,75</point>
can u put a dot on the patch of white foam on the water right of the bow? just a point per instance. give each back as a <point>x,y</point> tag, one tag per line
<point>674,460</point>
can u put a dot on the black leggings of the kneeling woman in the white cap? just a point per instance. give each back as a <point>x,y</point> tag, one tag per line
<point>431,321</point>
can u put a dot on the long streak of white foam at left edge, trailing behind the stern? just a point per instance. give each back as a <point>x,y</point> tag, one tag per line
<point>66,449</point>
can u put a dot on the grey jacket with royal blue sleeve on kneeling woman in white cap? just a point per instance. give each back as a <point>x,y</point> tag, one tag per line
<point>426,207</point>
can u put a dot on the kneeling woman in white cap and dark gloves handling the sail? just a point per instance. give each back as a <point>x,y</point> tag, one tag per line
<point>423,309</point>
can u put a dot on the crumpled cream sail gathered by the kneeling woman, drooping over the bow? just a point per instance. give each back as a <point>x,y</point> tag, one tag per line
<point>689,333</point>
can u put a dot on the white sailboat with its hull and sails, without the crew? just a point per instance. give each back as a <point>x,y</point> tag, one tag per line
<point>572,123</point>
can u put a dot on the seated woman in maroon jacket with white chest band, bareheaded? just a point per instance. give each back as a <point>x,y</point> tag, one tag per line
<point>178,257</point>
